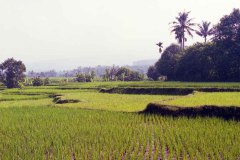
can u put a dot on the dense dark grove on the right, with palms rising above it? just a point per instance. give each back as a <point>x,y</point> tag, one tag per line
<point>216,59</point>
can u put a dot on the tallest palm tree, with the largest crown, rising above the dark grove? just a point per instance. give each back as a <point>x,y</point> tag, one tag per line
<point>181,25</point>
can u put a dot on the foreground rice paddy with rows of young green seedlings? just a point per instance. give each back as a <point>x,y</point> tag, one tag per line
<point>56,133</point>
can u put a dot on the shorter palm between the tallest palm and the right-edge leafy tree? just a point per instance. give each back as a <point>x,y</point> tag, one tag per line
<point>205,30</point>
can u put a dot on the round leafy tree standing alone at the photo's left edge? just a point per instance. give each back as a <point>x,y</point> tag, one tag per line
<point>12,72</point>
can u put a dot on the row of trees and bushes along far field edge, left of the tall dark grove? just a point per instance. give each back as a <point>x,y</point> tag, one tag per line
<point>12,75</point>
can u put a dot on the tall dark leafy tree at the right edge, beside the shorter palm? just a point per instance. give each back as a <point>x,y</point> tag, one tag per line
<point>227,38</point>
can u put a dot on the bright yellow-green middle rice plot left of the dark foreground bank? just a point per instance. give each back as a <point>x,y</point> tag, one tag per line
<point>114,102</point>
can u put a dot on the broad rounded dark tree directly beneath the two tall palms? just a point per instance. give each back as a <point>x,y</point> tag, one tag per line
<point>198,63</point>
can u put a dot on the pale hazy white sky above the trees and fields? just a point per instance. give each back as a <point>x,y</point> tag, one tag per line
<point>64,34</point>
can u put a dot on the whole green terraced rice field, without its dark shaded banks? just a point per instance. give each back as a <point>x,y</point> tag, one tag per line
<point>76,121</point>
